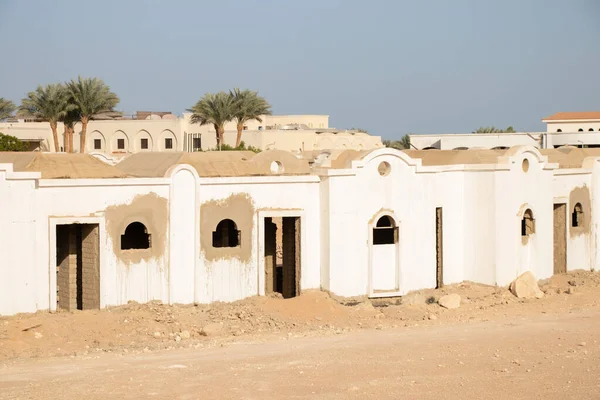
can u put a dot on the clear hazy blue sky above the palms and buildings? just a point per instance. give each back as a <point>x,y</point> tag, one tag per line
<point>388,66</point>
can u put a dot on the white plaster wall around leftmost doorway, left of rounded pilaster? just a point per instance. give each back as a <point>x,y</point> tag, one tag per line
<point>119,282</point>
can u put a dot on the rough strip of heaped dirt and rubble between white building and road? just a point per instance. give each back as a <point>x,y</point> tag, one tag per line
<point>156,326</point>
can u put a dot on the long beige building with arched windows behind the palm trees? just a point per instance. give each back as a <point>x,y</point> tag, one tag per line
<point>163,131</point>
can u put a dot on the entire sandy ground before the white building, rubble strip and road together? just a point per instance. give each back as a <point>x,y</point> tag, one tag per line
<point>493,346</point>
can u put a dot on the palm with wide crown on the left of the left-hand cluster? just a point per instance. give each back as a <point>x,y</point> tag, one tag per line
<point>47,103</point>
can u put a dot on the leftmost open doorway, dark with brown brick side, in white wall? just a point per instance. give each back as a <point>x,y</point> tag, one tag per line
<point>77,267</point>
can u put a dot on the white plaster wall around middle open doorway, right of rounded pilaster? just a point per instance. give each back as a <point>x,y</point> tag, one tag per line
<point>231,279</point>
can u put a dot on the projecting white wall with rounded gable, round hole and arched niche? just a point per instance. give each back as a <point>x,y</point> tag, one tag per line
<point>356,202</point>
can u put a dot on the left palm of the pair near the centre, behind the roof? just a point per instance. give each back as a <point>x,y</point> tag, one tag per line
<point>216,109</point>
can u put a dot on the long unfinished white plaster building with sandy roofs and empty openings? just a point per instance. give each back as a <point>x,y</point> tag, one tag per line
<point>221,226</point>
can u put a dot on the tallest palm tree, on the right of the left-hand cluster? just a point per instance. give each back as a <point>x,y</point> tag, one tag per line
<point>91,96</point>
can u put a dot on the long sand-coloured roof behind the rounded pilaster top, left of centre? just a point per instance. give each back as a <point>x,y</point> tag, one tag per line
<point>213,163</point>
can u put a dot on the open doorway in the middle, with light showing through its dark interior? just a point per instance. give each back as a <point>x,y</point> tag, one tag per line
<point>282,255</point>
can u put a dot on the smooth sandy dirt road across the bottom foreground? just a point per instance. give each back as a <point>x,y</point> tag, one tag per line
<point>546,357</point>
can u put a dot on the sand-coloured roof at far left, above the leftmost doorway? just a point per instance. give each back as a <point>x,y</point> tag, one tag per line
<point>60,166</point>
